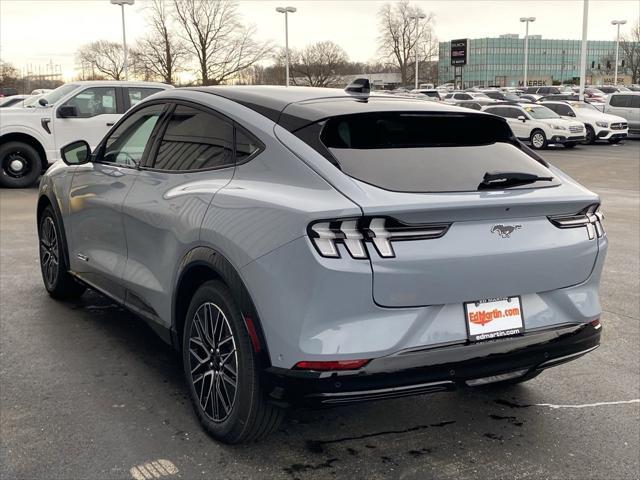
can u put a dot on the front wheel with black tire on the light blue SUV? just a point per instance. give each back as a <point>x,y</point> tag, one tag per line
<point>53,264</point>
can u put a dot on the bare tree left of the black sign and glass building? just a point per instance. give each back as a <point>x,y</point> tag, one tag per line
<point>400,38</point>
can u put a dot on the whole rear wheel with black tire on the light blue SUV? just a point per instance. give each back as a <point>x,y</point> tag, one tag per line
<point>249,417</point>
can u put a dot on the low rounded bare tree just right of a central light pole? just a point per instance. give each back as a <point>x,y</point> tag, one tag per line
<point>318,65</point>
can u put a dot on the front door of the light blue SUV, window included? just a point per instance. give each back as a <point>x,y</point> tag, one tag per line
<point>97,243</point>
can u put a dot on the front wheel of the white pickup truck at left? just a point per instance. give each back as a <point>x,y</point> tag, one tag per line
<point>20,165</point>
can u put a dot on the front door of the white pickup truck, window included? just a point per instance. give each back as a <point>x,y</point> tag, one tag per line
<point>98,109</point>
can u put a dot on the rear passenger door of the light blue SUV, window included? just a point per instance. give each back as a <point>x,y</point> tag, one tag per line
<point>191,160</point>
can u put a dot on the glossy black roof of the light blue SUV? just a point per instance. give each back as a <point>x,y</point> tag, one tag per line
<point>296,107</point>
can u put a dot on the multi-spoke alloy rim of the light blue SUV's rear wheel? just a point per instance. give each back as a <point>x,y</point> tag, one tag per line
<point>213,360</point>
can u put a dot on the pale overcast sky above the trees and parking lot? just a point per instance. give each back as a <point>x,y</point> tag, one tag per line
<point>39,31</point>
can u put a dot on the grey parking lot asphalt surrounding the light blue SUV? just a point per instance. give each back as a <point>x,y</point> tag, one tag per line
<point>88,391</point>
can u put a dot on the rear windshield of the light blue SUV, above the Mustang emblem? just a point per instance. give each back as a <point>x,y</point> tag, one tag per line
<point>409,152</point>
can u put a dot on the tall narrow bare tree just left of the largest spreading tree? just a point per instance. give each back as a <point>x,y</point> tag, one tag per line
<point>161,54</point>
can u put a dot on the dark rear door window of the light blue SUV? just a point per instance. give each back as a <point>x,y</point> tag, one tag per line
<point>195,140</point>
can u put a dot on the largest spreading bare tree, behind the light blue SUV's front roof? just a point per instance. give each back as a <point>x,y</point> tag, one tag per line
<point>222,46</point>
